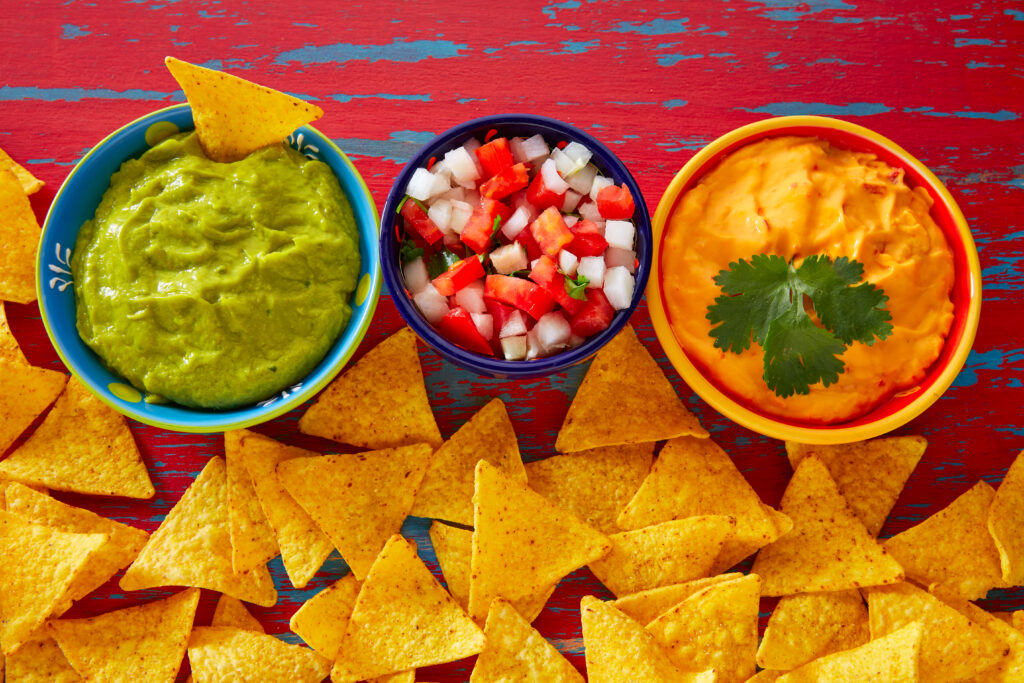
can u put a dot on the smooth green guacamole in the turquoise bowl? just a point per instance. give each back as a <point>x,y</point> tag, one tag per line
<point>217,285</point>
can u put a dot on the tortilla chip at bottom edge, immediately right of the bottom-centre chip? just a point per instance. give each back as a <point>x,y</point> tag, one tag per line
<point>619,650</point>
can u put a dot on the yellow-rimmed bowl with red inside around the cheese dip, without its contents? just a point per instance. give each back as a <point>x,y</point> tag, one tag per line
<point>906,405</point>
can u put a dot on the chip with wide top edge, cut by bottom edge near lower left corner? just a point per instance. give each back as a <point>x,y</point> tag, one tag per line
<point>141,644</point>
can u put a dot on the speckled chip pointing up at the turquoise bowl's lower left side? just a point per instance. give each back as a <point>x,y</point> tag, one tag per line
<point>83,446</point>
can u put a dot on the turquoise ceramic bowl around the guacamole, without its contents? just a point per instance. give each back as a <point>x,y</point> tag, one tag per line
<point>76,203</point>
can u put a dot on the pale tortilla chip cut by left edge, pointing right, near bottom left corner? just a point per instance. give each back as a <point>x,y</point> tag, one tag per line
<point>39,567</point>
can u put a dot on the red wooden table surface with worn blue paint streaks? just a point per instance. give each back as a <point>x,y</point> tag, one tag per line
<point>656,81</point>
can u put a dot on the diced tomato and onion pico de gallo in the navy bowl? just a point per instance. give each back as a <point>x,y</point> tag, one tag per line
<point>515,248</point>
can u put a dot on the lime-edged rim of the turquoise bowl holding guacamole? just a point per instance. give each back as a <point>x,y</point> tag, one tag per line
<point>200,421</point>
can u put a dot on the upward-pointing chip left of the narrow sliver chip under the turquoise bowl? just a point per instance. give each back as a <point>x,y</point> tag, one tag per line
<point>193,546</point>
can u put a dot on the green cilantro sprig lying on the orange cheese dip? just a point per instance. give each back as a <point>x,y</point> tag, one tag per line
<point>763,302</point>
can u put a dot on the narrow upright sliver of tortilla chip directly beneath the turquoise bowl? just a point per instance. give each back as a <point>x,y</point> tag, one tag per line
<point>253,541</point>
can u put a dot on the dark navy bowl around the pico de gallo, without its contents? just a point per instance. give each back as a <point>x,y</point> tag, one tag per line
<point>511,125</point>
